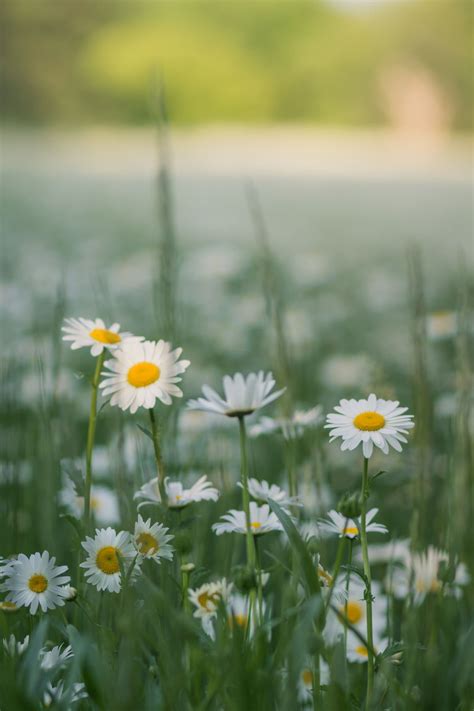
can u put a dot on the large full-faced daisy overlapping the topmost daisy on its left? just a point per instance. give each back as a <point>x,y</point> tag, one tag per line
<point>141,373</point>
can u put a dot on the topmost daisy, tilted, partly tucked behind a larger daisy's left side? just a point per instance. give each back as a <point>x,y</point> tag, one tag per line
<point>84,333</point>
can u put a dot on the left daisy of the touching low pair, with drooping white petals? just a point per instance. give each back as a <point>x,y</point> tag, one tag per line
<point>104,552</point>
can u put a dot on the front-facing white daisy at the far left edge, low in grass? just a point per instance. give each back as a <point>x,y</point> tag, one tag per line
<point>35,581</point>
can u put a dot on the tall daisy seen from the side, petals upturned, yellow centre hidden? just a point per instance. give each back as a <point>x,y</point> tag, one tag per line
<point>243,395</point>
